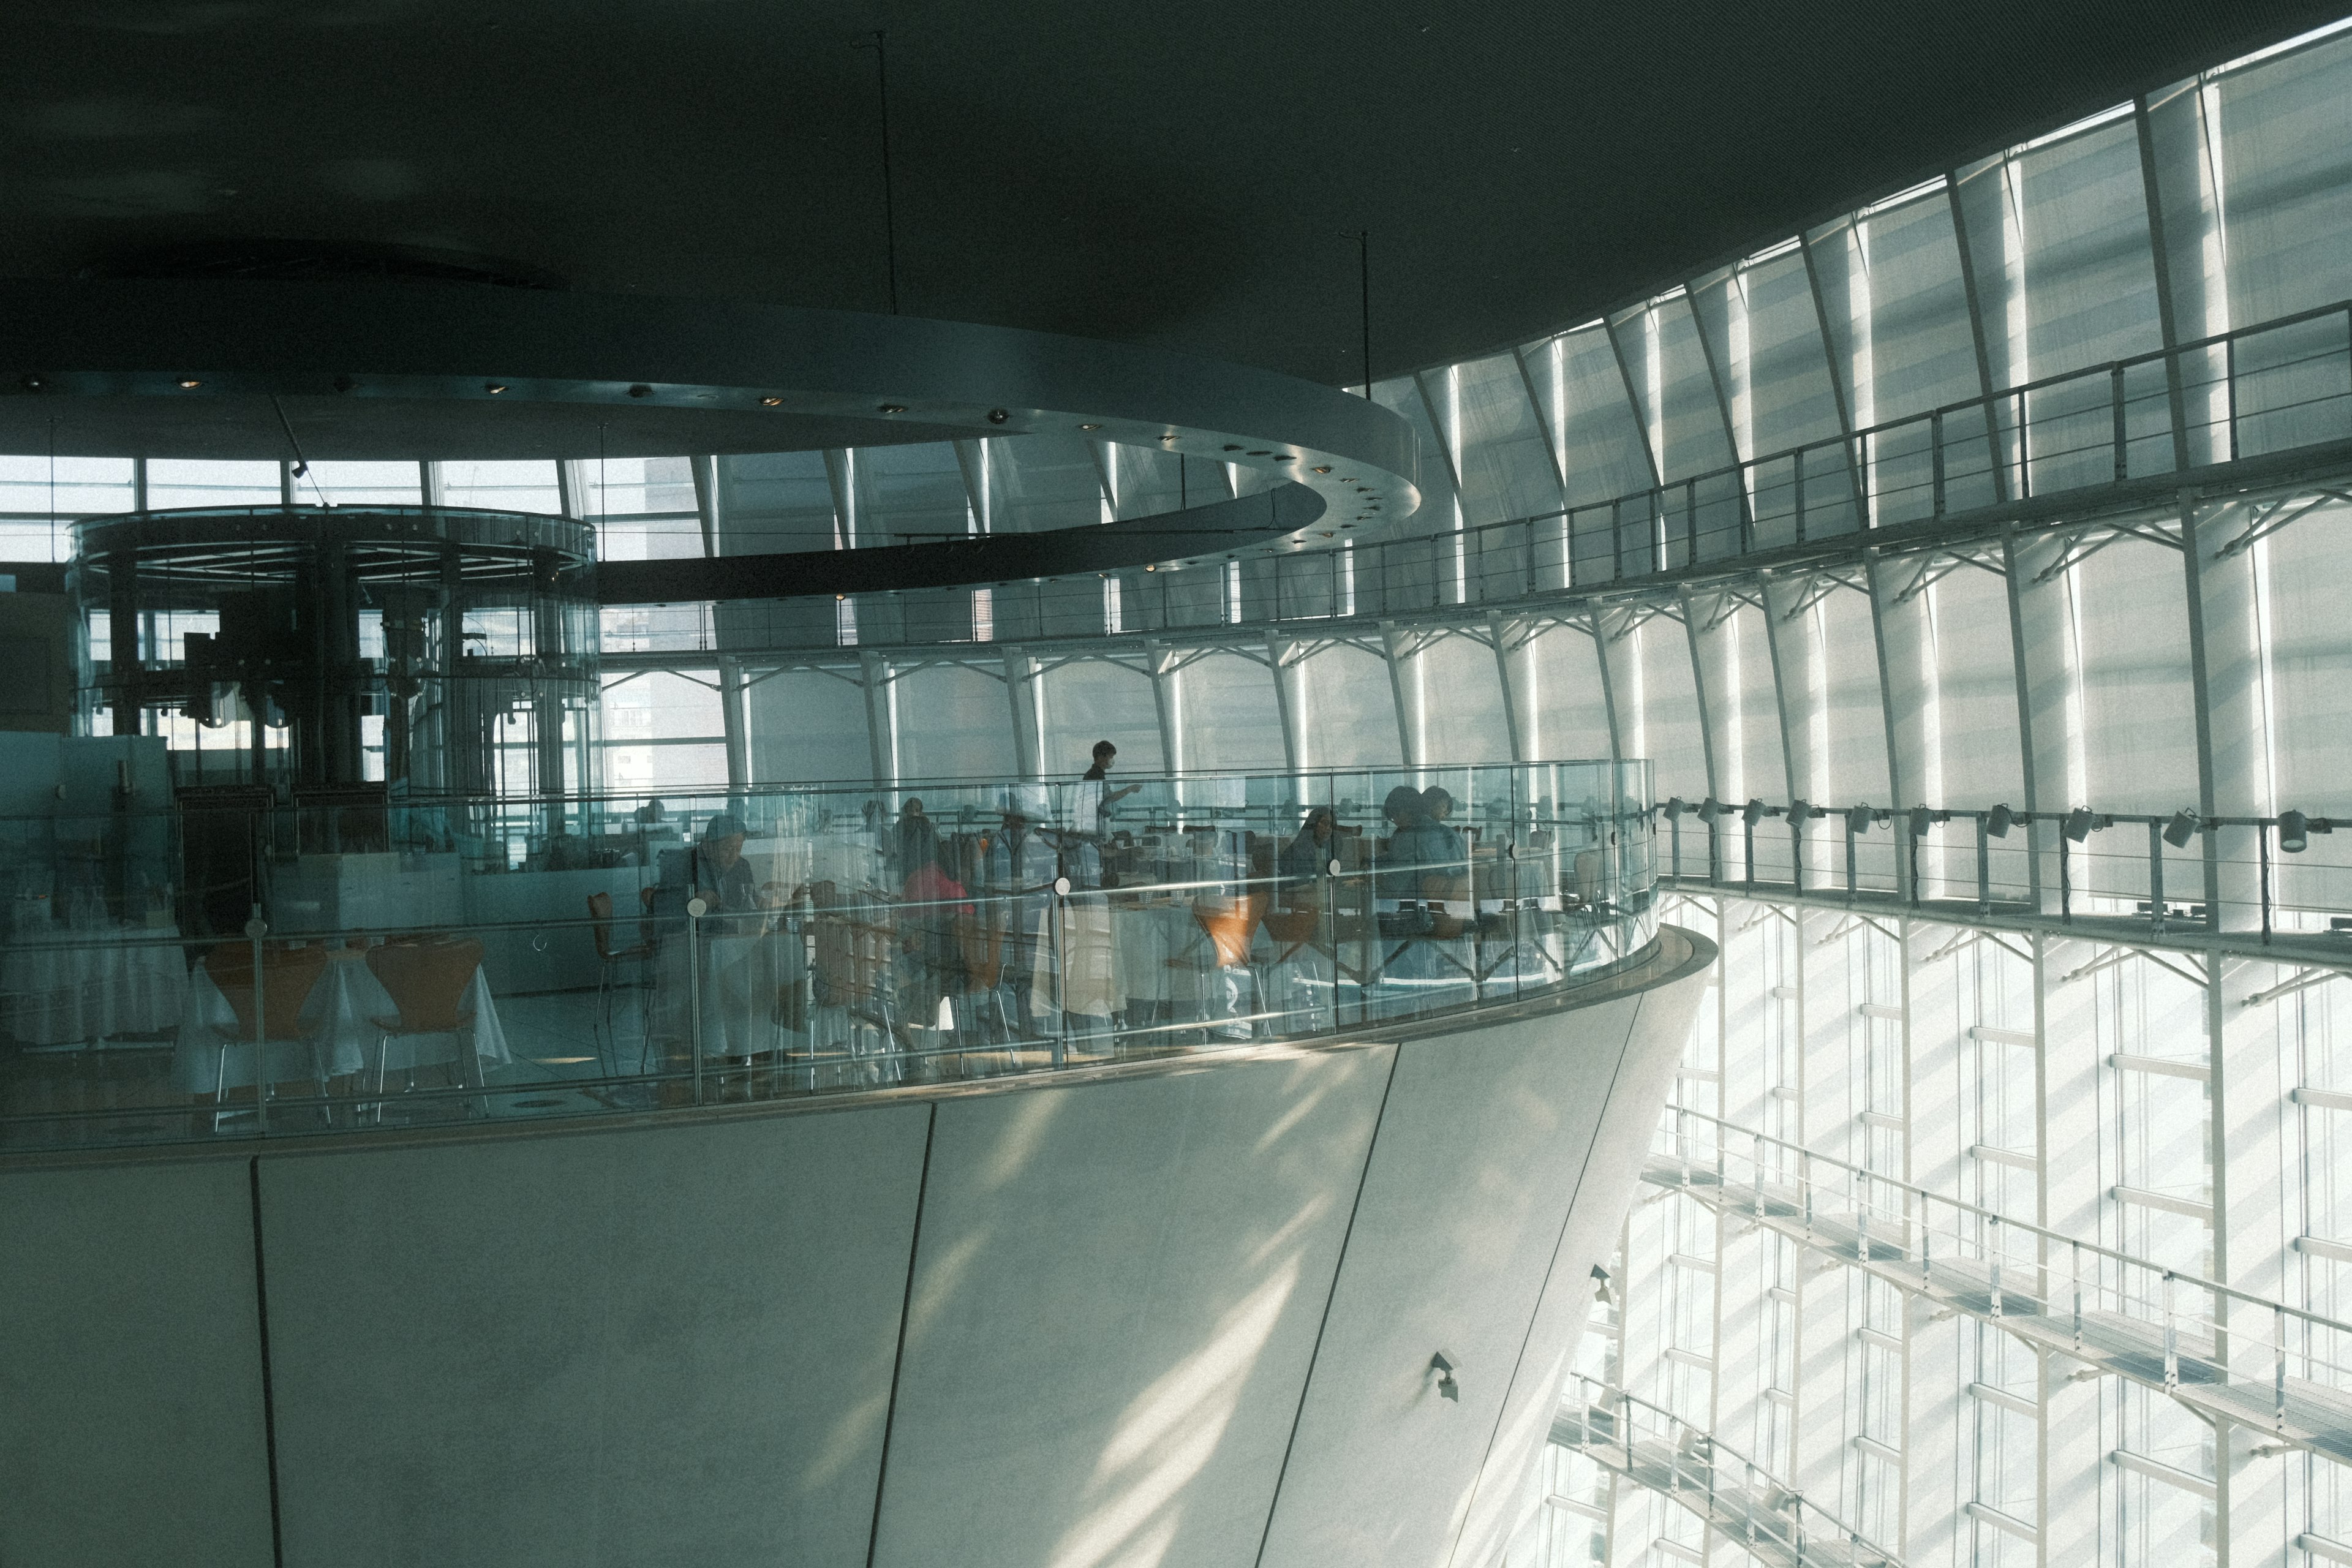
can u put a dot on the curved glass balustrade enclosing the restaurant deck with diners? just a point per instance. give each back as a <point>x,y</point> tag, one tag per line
<point>460,960</point>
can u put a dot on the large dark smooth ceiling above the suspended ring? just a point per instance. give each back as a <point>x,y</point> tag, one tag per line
<point>1182,175</point>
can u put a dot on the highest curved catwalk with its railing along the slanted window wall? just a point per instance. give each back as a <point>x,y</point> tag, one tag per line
<point>2236,415</point>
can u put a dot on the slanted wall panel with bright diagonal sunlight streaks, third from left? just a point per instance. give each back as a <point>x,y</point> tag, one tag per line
<point>1116,1304</point>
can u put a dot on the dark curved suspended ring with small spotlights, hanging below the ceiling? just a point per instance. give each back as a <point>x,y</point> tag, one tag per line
<point>385,370</point>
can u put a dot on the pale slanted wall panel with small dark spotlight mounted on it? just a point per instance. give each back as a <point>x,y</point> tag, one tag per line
<point>1481,1151</point>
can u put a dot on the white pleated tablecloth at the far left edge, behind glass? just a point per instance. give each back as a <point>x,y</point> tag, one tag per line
<point>93,986</point>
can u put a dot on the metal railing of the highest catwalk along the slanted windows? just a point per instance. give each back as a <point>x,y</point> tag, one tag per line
<point>1979,457</point>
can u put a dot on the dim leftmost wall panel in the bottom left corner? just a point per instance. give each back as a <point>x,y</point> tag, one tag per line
<point>131,1369</point>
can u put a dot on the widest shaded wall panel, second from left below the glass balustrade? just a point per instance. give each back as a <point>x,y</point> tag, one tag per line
<point>657,1346</point>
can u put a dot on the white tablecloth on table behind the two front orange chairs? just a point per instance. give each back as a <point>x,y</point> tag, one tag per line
<point>338,1031</point>
